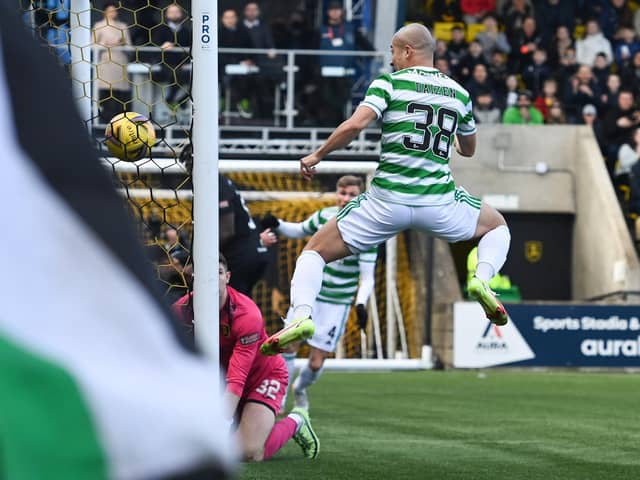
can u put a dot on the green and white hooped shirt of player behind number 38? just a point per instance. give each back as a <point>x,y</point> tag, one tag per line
<point>340,278</point>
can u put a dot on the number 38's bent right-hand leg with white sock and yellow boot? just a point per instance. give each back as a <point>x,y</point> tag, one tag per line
<point>492,253</point>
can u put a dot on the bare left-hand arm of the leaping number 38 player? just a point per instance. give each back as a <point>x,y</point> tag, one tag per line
<point>340,138</point>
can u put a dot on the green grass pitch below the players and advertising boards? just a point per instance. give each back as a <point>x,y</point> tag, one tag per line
<point>497,424</point>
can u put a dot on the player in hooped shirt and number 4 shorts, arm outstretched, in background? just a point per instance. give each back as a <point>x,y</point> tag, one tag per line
<point>342,281</point>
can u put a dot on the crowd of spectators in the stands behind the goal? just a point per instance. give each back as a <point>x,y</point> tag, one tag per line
<point>523,61</point>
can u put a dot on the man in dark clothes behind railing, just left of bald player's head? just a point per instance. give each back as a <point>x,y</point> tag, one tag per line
<point>337,71</point>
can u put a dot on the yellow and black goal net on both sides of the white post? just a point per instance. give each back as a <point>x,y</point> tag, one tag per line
<point>124,63</point>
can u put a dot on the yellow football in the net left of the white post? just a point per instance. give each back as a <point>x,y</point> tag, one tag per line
<point>129,136</point>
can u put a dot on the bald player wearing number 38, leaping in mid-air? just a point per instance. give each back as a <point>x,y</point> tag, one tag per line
<point>425,114</point>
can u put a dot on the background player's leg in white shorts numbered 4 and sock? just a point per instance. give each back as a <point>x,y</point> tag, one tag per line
<point>330,319</point>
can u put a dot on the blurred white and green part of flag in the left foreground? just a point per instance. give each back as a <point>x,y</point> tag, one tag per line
<point>93,381</point>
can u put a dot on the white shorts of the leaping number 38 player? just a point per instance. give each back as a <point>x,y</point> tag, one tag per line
<point>367,221</point>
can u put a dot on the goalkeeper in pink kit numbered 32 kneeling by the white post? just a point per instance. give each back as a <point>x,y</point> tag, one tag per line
<point>255,384</point>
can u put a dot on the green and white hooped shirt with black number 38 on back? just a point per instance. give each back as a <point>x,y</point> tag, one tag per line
<point>421,110</point>
